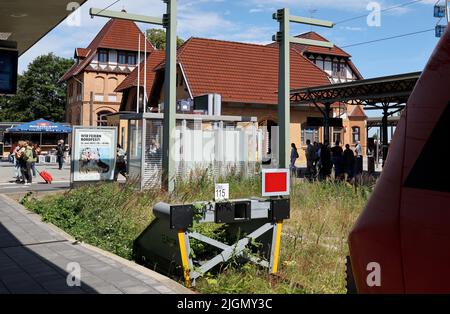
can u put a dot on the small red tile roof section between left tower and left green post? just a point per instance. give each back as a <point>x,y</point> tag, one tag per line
<point>153,59</point>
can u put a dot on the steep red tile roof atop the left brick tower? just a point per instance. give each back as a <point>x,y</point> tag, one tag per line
<point>116,34</point>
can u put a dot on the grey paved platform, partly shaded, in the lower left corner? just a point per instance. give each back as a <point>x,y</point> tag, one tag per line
<point>35,258</point>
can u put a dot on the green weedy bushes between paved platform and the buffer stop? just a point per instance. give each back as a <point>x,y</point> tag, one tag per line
<point>106,215</point>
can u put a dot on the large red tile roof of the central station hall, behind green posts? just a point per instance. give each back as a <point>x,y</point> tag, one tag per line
<point>240,72</point>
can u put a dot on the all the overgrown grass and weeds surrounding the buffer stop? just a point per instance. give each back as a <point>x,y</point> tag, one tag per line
<point>313,248</point>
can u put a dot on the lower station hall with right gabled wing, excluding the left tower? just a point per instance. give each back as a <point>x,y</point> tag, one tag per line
<point>246,77</point>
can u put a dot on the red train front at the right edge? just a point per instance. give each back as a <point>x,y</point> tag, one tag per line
<point>401,241</point>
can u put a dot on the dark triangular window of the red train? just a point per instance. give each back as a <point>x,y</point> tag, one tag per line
<point>431,170</point>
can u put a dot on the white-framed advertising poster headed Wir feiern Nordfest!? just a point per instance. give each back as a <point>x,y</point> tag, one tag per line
<point>94,153</point>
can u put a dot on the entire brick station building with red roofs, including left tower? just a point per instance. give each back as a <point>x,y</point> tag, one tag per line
<point>244,75</point>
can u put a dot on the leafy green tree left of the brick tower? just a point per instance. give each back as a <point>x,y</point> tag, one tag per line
<point>39,95</point>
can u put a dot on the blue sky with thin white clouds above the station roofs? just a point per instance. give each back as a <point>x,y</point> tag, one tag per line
<point>251,21</point>
